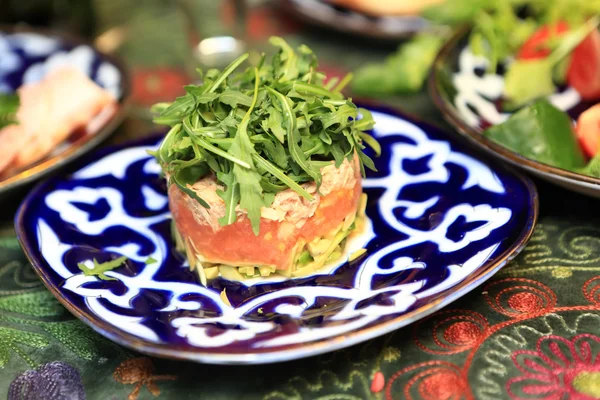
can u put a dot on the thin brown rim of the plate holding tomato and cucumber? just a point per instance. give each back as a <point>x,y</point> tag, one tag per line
<point>451,115</point>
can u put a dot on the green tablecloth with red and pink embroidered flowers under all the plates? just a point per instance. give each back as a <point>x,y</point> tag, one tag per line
<point>532,332</point>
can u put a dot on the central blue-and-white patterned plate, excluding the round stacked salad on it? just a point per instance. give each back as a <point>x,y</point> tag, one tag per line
<point>441,223</point>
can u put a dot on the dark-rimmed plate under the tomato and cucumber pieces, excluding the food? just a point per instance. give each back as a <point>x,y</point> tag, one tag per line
<point>469,99</point>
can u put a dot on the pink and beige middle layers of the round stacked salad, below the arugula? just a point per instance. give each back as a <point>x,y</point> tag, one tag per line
<point>287,221</point>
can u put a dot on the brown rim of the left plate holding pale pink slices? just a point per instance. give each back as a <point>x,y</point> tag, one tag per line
<point>85,143</point>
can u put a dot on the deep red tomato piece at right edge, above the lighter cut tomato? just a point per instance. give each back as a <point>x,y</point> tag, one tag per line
<point>584,71</point>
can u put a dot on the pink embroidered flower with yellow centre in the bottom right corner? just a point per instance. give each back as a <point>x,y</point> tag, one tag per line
<point>557,368</point>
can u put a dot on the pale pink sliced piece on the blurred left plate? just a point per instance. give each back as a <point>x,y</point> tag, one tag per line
<point>49,111</point>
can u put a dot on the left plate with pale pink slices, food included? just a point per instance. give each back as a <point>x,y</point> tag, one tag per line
<point>58,98</point>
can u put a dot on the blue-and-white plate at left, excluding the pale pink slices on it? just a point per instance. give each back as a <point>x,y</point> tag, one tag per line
<point>26,57</point>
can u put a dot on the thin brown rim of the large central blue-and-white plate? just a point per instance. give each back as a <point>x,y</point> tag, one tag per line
<point>486,271</point>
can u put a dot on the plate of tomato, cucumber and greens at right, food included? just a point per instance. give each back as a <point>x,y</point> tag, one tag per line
<point>523,82</point>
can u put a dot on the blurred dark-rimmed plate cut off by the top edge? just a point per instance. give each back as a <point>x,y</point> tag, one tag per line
<point>325,14</point>
